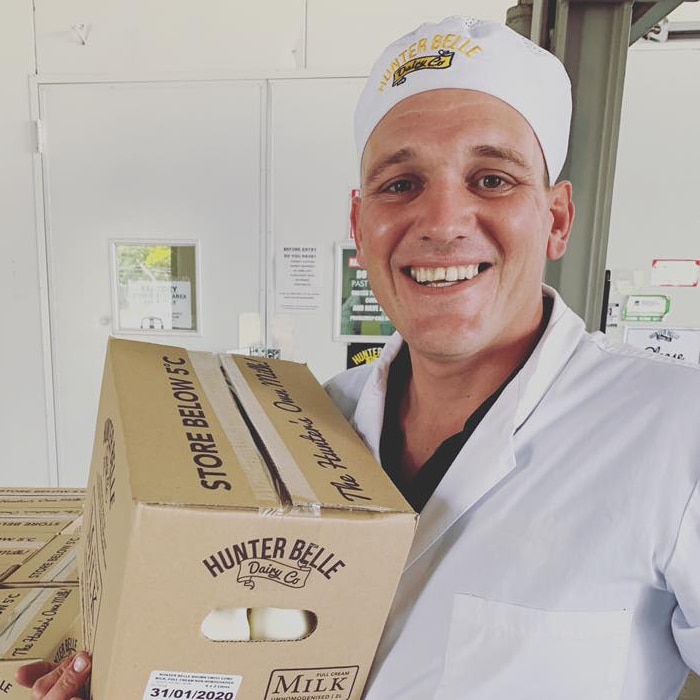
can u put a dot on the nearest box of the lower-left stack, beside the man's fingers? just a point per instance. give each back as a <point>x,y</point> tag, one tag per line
<point>36,624</point>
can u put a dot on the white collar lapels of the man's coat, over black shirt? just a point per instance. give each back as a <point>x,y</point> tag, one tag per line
<point>488,455</point>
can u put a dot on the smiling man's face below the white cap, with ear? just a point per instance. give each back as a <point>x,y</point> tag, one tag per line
<point>455,222</point>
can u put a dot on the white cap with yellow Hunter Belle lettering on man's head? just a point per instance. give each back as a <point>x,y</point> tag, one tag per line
<point>478,55</point>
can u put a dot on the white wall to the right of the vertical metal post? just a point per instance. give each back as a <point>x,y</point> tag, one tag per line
<point>655,210</point>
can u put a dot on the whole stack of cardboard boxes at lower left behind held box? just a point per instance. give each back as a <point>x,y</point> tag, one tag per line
<point>39,597</point>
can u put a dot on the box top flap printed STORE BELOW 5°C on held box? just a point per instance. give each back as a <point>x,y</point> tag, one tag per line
<point>186,442</point>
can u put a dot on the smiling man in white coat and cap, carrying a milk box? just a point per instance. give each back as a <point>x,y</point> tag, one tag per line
<point>556,475</point>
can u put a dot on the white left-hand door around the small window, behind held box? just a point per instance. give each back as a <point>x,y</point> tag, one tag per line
<point>177,164</point>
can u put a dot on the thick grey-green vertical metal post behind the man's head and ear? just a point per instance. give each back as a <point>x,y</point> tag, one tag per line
<point>591,38</point>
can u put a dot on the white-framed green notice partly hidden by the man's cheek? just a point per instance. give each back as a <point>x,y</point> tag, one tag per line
<point>357,312</point>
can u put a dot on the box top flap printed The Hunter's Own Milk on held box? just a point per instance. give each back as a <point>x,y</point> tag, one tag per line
<point>319,457</point>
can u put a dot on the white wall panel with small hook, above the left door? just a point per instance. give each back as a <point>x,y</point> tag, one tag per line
<point>162,36</point>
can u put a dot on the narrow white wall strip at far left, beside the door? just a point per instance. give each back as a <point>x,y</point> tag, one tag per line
<point>23,425</point>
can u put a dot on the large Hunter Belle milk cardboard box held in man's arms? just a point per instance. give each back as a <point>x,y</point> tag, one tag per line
<point>195,508</point>
